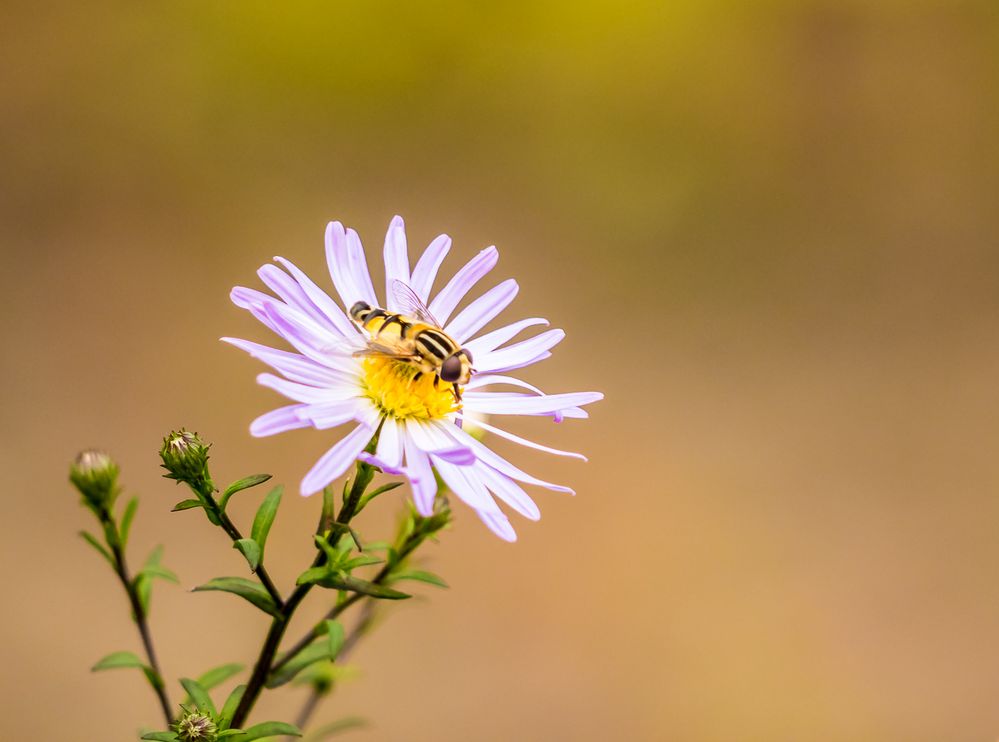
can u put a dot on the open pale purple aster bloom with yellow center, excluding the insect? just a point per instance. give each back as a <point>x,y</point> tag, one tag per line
<point>418,422</point>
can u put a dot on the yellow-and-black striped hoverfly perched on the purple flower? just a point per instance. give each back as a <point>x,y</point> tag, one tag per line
<point>414,336</point>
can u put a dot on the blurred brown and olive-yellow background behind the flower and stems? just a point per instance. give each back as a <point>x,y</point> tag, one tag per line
<point>770,231</point>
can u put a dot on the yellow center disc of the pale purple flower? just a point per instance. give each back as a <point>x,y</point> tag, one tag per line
<point>393,386</point>
